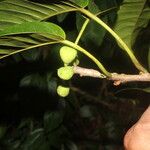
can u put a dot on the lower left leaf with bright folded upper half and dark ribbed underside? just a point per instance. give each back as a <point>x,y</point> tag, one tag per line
<point>39,34</point>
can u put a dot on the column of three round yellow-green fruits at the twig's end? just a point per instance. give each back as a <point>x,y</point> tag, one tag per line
<point>67,55</point>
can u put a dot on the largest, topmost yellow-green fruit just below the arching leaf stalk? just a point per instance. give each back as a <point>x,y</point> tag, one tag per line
<point>67,54</point>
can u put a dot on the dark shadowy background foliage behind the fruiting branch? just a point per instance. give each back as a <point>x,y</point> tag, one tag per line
<point>94,116</point>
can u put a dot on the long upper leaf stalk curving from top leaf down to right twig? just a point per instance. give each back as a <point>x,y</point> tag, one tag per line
<point>126,48</point>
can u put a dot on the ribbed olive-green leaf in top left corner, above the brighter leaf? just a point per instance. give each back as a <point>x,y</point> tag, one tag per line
<point>16,11</point>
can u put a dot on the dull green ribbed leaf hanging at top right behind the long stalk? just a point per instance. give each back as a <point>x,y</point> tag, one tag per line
<point>128,17</point>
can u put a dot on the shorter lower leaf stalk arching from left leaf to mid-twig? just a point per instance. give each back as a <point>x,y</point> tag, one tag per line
<point>97,62</point>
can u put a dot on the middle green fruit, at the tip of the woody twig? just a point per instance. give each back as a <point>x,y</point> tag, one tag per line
<point>65,73</point>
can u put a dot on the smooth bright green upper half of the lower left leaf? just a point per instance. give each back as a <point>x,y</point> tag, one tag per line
<point>47,29</point>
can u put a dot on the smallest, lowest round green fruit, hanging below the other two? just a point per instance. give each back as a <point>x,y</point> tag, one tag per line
<point>63,91</point>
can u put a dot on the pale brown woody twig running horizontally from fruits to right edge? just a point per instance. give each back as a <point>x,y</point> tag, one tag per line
<point>117,78</point>
